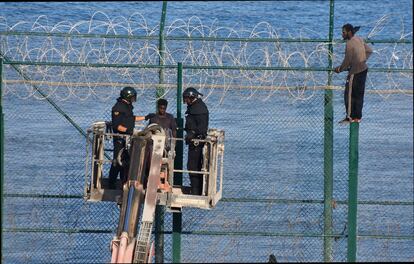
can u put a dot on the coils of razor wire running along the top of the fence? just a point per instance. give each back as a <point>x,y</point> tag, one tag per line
<point>128,47</point>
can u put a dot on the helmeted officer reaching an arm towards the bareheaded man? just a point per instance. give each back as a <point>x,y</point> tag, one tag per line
<point>123,122</point>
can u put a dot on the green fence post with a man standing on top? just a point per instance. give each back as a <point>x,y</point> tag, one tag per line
<point>353,191</point>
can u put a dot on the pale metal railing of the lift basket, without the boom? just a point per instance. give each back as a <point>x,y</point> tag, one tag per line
<point>174,197</point>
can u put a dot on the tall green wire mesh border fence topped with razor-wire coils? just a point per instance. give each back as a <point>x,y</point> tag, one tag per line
<point>296,184</point>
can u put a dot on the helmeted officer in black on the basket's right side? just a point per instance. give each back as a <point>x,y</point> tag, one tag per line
<point>196,126</point>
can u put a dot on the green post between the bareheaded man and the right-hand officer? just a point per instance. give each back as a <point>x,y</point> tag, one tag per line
<point>178,164</point>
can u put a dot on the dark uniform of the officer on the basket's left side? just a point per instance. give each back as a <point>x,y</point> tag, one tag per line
<point>122,114</point>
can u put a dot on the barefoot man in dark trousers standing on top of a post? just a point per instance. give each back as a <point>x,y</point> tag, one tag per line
<point>357,53</point>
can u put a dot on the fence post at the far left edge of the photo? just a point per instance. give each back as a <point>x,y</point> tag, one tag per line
<point>1,150</point>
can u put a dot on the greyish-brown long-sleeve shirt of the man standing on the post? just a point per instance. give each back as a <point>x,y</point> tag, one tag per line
<point>357,53</point>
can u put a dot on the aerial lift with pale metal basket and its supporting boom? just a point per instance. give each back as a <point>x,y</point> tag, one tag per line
<point>150,182</point>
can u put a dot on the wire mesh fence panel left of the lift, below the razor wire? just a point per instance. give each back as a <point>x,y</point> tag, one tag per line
<point>45,170</point>
